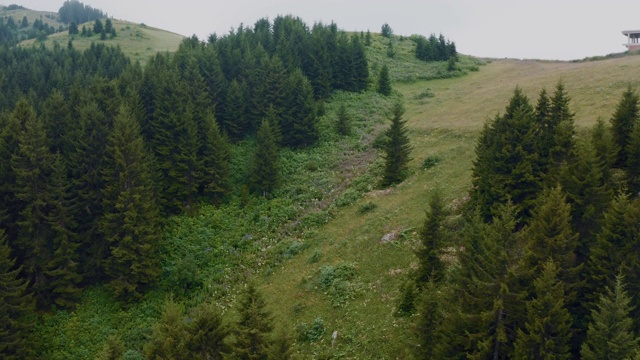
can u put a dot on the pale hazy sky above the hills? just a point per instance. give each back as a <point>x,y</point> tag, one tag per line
<point>544,29</point>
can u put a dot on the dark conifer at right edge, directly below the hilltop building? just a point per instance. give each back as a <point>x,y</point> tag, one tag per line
<point>624,120</point>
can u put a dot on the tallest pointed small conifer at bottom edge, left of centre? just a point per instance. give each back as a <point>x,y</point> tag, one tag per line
<point>252,332</point>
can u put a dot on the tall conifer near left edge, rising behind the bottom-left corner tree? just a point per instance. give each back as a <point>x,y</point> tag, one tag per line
<point>32,167</point>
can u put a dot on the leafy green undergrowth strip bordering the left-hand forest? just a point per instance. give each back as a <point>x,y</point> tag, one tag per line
<point>206,255</point>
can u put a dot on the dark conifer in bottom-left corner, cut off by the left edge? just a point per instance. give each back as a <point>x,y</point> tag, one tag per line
<point>15,304</point>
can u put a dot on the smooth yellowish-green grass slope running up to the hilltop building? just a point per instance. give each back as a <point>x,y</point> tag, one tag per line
<point>444,126</point>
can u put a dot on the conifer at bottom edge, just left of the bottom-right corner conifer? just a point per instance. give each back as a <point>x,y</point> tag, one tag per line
<point>547,330</point>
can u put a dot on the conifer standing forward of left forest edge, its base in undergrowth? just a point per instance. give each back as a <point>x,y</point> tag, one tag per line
<point>265,162</point>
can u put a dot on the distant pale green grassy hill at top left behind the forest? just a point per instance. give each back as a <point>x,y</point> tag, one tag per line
<point>138,41</point>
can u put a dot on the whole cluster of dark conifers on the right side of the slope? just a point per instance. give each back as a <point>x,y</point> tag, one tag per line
<point>545,266</point>
